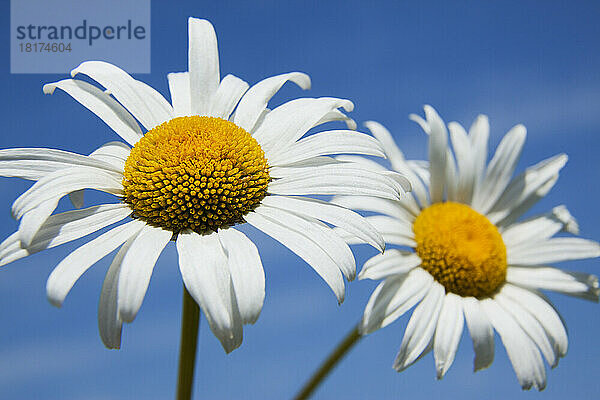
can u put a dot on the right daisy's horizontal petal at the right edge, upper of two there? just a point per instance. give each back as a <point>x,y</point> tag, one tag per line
<point>552,251</point>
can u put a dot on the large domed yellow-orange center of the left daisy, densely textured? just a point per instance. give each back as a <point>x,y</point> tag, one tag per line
<point>198,173</point>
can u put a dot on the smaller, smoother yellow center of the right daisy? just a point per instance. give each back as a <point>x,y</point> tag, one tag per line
<point>461,249</point>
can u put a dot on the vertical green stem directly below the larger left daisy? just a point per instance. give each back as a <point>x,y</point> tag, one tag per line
<point>190,319</point>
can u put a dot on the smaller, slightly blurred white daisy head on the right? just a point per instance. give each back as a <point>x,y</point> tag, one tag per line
<point>470,261</point>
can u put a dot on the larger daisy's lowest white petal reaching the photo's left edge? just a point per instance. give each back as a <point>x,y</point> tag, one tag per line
<point>63,228</point>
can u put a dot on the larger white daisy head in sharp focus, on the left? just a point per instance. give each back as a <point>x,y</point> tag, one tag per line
<point>198,170</point>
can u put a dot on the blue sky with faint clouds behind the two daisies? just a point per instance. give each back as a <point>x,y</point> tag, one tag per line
<point>516,61</point>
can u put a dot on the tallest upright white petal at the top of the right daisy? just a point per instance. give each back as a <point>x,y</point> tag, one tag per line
<point>438,147</point>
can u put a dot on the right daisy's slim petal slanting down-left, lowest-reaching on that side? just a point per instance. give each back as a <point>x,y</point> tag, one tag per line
<point>420,328</point>
